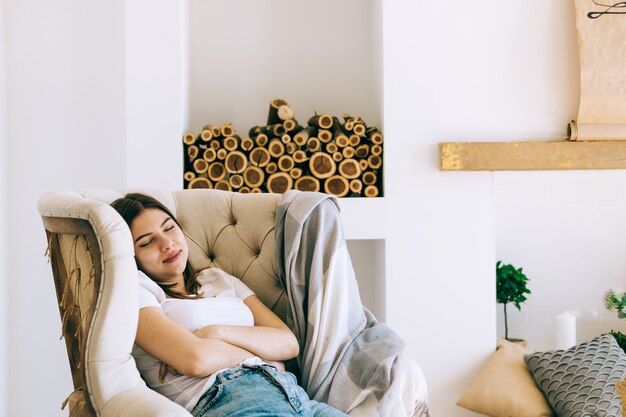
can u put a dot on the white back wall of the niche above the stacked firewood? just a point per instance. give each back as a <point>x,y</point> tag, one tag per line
<point>316,55</point>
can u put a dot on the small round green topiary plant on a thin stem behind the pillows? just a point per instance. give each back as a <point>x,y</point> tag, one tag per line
<point>510,288</point>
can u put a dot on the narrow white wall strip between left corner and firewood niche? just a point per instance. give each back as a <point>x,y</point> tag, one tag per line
<point>153,45</point>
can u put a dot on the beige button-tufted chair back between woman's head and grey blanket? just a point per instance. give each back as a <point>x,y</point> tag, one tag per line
<point>236,233</point>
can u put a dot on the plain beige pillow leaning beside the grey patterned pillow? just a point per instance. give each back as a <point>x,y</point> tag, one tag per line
<point>505,387</point>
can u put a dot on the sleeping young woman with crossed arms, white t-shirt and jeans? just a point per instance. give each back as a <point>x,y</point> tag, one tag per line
<point>206,341</point>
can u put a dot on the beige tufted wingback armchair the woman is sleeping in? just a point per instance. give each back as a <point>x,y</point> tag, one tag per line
<point>92,259</point>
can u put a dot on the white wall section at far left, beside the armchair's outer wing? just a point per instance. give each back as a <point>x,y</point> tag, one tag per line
<point>65,129</point>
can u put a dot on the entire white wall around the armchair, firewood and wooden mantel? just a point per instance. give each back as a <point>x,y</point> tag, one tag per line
<point>99,90</point>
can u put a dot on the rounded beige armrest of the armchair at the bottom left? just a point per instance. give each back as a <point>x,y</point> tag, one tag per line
<point>142,402</point>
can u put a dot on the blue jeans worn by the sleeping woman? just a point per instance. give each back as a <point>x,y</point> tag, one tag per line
<point>259,391</point>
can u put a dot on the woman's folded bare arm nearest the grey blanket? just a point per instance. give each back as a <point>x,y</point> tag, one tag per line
<point>269,338</point>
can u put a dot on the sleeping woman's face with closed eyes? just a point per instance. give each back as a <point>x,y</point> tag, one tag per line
<point>160,247</point>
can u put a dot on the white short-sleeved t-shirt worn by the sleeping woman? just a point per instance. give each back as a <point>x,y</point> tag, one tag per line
<point>222,303</point>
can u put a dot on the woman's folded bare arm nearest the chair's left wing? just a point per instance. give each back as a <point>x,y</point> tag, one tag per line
<point>181,349</point>
